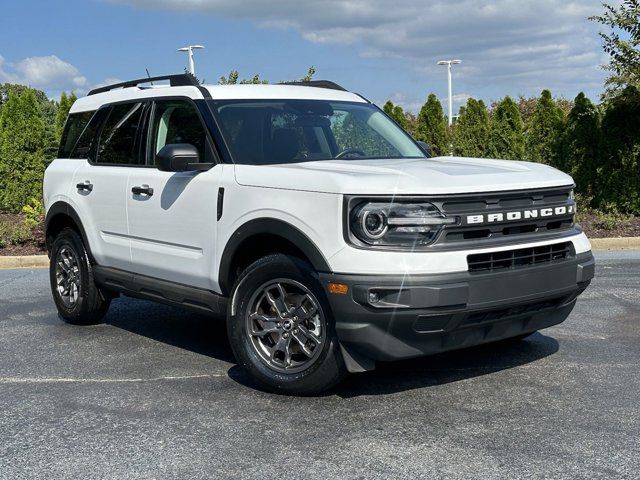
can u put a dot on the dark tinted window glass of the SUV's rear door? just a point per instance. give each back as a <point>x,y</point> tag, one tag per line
<point>120,137</point>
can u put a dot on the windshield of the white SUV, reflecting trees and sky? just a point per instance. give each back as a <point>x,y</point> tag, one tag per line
<point>262,132</point>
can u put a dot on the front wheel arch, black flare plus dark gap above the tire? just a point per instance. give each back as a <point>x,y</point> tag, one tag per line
<point>260,237</point>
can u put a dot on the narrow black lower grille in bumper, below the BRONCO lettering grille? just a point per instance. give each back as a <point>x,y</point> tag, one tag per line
<point>522,257</point>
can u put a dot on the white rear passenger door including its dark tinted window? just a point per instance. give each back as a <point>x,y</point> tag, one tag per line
<point>100,194</point>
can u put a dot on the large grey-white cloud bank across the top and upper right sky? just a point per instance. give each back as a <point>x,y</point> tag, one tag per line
<point>535,43</point>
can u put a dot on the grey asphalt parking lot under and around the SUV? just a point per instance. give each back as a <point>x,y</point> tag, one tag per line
<point>155,393</point>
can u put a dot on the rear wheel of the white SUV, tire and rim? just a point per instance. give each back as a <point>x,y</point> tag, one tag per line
<point>77,297</point>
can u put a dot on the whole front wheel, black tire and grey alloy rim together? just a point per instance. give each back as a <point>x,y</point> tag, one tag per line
<point>311,361</point>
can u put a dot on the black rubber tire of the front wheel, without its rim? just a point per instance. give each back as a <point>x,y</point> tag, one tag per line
<point>327,368</point>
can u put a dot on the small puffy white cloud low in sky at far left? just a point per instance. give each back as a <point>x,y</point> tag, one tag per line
<point>48,73</point>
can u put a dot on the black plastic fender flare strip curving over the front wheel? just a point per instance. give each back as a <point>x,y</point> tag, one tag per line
<point>274,227</point>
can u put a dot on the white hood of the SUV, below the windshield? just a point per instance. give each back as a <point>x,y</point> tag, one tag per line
<point>417,176</point>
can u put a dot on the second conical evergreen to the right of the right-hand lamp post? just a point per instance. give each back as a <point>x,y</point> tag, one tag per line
<point>506,139</point>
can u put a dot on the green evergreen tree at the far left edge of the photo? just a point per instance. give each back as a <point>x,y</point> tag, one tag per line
<point>22,141</point>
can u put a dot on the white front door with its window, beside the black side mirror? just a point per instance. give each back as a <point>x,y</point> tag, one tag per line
<point>172,216</point>
